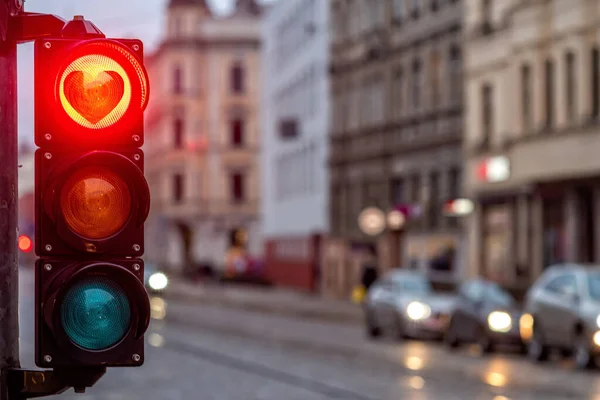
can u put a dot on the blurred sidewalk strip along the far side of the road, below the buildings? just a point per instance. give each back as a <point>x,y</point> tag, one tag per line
<point>266,300</point>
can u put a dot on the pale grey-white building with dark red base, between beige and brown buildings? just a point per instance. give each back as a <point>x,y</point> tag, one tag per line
<point>295,111</point>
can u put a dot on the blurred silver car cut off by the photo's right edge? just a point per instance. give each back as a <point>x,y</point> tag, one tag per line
<point>563,312</point>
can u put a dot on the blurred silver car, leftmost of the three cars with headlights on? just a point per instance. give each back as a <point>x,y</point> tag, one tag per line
<point>404,304</point>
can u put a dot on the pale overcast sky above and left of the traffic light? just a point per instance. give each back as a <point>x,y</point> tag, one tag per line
<point>141,19</point>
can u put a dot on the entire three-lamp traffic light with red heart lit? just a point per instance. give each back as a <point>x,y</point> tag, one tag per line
<point>92,200</point>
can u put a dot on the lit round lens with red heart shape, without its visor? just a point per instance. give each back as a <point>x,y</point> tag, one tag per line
<point>95,91</point>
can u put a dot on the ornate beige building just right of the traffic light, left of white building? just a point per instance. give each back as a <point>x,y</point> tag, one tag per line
<point>203,135</point>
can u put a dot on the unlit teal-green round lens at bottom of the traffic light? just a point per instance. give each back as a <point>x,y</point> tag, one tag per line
<point>96,314</point>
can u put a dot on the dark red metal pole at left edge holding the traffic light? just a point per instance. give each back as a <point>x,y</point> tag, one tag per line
<point>9,284</point>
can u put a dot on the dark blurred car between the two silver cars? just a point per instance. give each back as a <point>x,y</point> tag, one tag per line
<point>484,314</point>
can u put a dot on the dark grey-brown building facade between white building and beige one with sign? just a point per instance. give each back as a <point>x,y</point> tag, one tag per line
<point>396,129</point>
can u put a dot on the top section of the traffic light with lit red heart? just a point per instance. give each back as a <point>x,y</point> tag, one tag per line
<point>90,92</point>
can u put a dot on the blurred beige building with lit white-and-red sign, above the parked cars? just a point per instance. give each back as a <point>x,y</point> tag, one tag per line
<point>532,145</point>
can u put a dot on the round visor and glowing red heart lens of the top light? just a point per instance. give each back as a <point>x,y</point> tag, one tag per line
<point>100,84</point>
